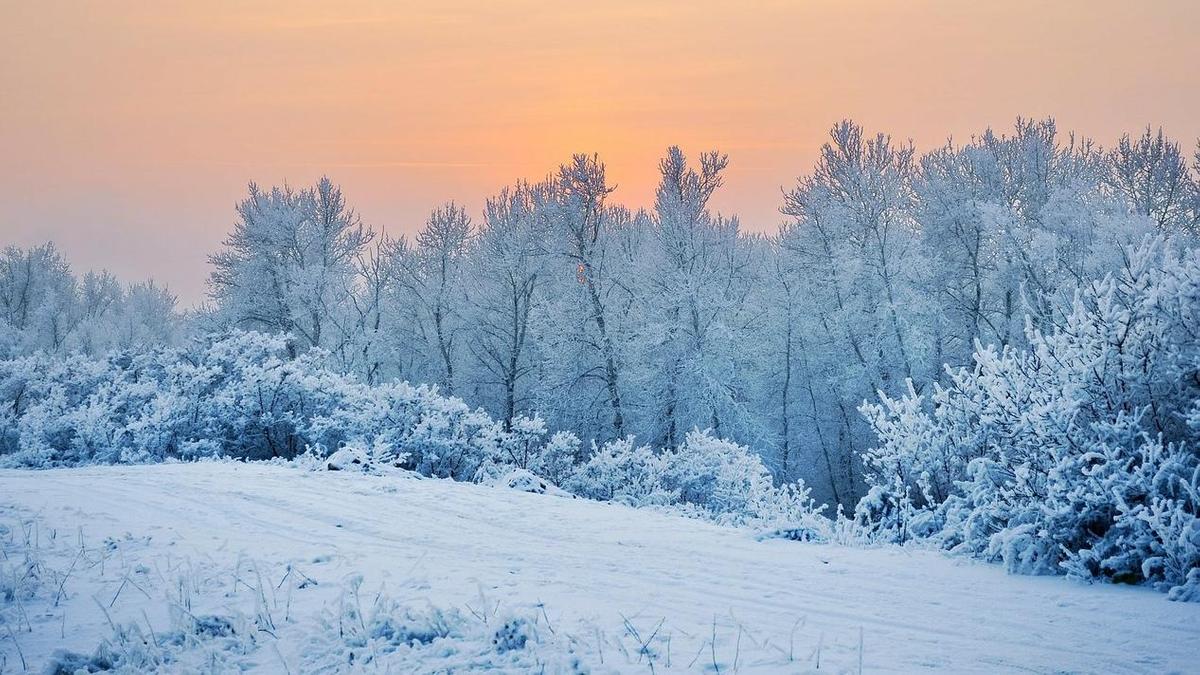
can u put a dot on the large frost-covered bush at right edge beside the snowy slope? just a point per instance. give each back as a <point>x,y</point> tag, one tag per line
<point>1078,455</point>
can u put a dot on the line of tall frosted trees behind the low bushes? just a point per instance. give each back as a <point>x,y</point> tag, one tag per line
<point>611,322</point>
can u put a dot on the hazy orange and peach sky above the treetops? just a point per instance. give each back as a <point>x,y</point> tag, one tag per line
<point>129,130</point>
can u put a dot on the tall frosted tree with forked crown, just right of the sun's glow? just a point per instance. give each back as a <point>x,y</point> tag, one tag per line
<point>697,280</point>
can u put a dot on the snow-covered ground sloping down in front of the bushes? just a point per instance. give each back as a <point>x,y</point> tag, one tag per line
<point>223,566</point>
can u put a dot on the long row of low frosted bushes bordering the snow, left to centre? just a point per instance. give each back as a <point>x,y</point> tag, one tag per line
<point>243,396</point>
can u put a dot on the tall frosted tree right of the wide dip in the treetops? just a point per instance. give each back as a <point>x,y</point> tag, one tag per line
<point>854,247</point>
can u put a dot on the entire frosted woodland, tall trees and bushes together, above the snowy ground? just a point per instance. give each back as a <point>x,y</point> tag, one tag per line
<point>992,348</point>
